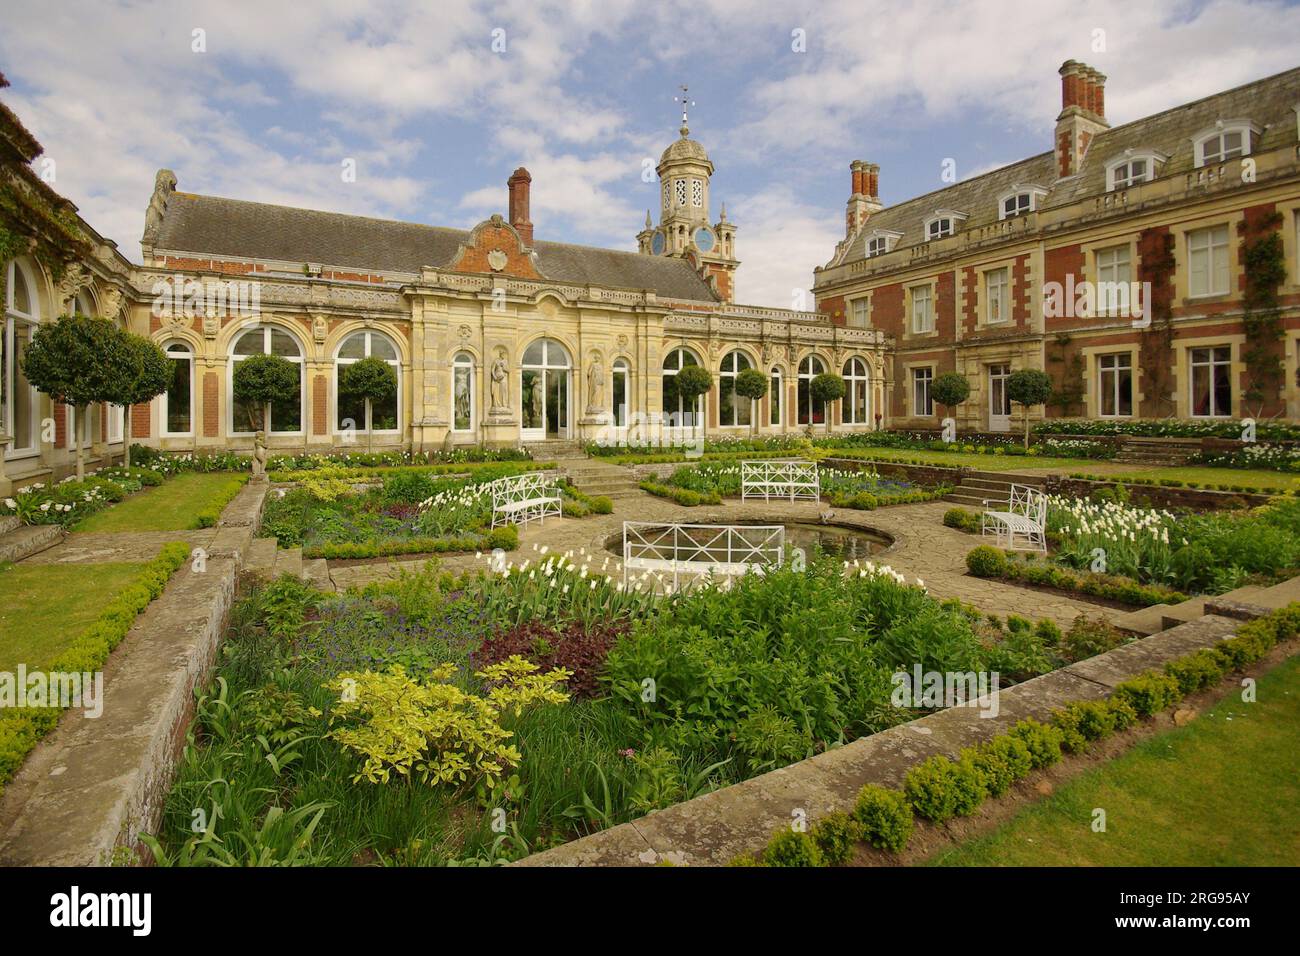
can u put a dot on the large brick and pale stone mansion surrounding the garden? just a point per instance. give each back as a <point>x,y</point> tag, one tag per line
<point>501,339</point>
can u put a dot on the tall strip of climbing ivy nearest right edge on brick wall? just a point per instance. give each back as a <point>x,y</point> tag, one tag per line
<point>1266,271</point>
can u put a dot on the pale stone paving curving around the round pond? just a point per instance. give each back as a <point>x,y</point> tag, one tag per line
<point>924,548</point>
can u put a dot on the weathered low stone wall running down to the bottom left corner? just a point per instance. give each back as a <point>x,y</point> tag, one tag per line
<point>93,786</point>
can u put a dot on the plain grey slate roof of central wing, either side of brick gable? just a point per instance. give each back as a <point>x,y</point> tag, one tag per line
<point>211,226</point>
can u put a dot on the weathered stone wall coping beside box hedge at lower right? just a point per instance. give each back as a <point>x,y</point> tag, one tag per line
<point>716,828</point>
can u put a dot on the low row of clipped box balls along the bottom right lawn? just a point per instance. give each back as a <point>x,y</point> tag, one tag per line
<point>942,789</point>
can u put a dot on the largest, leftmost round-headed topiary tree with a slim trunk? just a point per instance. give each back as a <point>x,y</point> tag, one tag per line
<point>79,361</point>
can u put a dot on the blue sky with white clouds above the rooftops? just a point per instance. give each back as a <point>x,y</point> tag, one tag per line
<point>436,103</point>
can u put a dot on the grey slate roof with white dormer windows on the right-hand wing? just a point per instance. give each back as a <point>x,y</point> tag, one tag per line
<point>1268,103</point>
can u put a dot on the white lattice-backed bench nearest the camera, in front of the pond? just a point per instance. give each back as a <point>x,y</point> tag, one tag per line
<point>701,550</point>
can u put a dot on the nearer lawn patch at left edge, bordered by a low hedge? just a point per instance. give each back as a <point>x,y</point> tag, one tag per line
<point>46,607</point>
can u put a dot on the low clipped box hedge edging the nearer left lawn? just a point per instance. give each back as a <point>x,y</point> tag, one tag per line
<point>20,730</point>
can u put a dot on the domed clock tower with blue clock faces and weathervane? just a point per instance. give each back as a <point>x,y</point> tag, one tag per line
<point>684,230</point>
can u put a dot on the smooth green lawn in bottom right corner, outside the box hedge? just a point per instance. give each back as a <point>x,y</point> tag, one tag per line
<point>1223,791</point>
